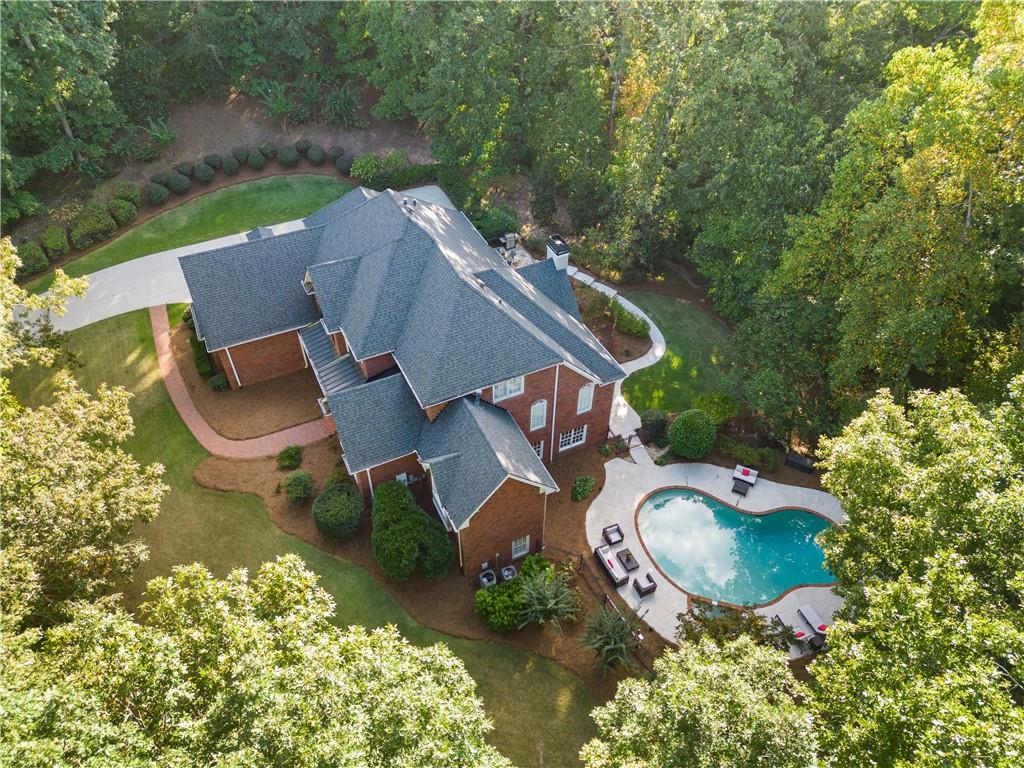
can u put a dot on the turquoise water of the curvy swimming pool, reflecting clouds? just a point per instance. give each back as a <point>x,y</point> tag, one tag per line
<point>715,551</point>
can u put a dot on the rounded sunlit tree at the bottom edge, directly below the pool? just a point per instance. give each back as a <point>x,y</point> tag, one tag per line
<point>706,705</point>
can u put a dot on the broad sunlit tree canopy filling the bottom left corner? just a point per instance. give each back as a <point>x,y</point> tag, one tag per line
<point>242,672</point>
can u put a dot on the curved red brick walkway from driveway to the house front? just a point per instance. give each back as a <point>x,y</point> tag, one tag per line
<point>269,445</point>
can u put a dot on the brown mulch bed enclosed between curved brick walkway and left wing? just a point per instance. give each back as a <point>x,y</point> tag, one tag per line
<point>252,411</point>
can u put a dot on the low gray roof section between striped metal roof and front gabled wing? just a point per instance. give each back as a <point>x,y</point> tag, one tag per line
<point>377,421</point>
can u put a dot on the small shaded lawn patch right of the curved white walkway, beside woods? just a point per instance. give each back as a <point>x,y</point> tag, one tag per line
<point>695,361</point>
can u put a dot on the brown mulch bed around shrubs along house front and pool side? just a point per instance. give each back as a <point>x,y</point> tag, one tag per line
<point>446,606</point>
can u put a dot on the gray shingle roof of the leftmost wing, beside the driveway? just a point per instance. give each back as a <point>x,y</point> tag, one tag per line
<point>252,289</point>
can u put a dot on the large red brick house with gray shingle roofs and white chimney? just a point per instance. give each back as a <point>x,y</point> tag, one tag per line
<point>441,366</point>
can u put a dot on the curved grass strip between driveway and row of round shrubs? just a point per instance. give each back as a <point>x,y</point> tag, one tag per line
<point>234,209</point>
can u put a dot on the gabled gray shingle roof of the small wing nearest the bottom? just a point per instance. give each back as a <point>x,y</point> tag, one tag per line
<point>473,448</point>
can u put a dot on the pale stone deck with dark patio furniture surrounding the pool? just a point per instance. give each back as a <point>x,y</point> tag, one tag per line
<point>627,485</point>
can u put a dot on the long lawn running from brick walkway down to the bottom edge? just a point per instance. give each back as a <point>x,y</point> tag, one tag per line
<point>540,710</point>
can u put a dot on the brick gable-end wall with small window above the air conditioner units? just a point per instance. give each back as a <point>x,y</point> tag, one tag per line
<point>515,510</point>
